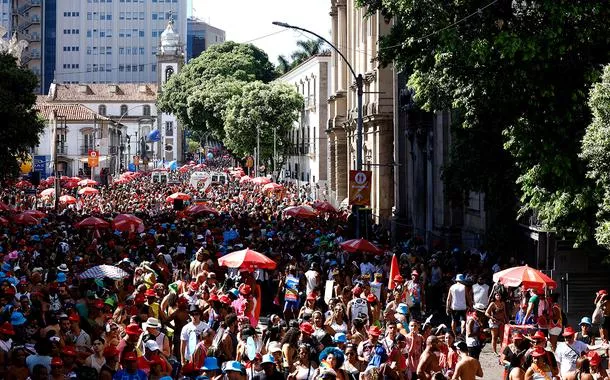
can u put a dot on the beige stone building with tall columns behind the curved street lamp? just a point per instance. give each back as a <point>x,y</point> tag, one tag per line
<point>356,37</point>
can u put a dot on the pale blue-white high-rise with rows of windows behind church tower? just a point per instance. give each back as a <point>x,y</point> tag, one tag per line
<point>115,41</point>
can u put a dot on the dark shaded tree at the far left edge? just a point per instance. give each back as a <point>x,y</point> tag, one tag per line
<point>22,126</point>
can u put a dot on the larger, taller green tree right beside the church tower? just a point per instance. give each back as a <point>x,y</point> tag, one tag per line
<point>198,94</point>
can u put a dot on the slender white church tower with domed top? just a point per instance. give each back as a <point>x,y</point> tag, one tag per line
<point>170,59</point>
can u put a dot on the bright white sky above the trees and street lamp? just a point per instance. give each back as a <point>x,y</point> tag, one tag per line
<point>246,20</point>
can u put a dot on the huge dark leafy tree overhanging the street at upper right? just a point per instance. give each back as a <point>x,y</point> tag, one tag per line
<point>516,73</point>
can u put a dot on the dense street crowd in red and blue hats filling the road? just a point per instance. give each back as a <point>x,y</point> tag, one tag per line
<point>323,313</point>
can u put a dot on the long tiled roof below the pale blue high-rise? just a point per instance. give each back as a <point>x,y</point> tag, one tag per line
<point>103,92</point>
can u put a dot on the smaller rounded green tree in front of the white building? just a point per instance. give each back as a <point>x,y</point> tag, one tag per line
<point>262,108</point>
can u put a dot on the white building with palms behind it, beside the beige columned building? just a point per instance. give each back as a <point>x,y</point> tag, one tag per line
<point>308,160</point>
